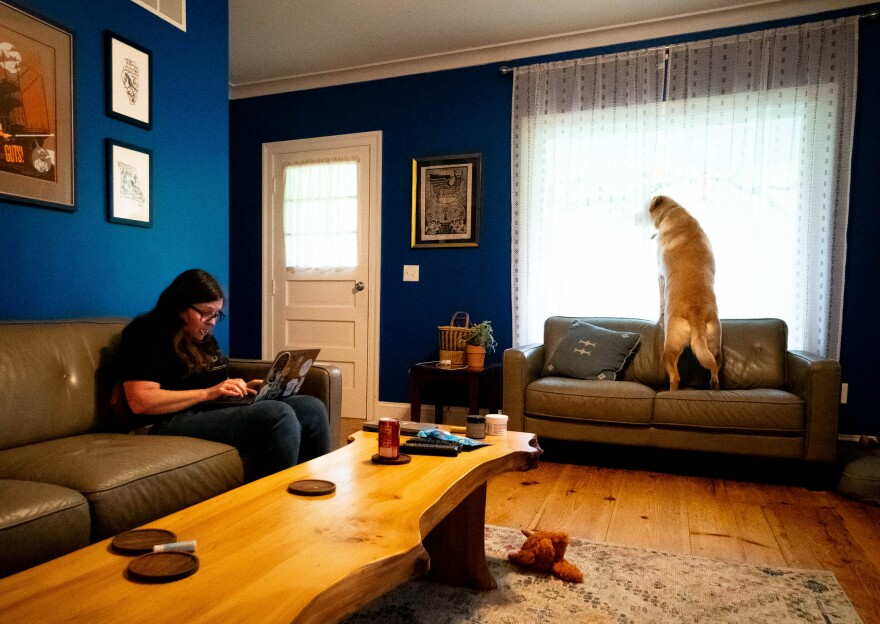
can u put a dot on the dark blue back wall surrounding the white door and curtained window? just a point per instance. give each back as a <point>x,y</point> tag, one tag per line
<point>468,110</point>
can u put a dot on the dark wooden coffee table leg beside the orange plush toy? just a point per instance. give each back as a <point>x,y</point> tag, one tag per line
<point>457,546</point>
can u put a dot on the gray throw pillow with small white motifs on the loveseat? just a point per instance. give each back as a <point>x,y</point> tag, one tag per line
<point>590,352</point>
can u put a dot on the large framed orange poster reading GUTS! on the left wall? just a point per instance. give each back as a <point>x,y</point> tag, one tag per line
<point>36,111</point>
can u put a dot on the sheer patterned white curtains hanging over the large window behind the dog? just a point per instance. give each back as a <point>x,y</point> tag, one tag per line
<point>751,133</point>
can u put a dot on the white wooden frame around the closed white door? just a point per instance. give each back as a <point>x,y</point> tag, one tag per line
<point>373,140</point>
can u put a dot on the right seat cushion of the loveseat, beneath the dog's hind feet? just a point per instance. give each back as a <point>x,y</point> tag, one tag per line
<point>759,411</point>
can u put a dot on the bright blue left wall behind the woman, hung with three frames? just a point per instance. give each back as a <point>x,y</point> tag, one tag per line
<point>58,264</point>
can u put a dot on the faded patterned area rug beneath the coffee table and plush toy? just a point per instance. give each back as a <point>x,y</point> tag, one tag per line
<point>623,585</point>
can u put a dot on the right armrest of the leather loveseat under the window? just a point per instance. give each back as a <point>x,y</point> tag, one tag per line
<point>816,380</point>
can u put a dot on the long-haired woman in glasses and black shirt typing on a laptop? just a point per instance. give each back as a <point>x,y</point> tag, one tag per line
<point>170,363</point>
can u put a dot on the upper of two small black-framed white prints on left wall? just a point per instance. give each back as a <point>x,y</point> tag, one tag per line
<point>129,81</point>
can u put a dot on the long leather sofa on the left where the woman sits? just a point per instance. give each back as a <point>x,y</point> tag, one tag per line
<point>68,476</point>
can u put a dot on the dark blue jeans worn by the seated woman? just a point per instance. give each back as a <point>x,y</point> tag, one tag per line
<point>269,435</point>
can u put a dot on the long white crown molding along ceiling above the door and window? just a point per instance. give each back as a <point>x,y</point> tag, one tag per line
<point>761,11</point>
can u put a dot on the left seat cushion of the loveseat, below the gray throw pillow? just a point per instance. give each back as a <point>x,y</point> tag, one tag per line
<point>593,400</point>
